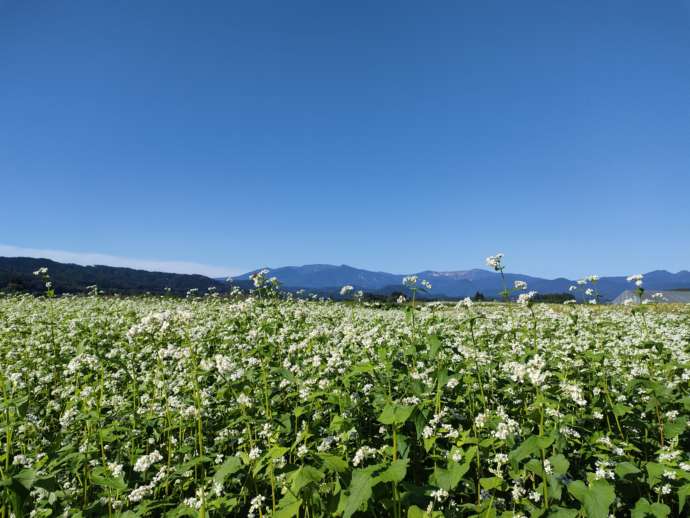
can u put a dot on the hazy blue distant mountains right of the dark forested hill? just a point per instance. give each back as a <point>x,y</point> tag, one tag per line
<point>328,279</point>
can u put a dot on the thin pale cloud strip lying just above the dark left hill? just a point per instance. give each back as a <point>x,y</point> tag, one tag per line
<point>88,259</point>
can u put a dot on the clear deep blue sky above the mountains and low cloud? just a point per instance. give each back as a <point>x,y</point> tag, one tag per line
<point>387,135</point>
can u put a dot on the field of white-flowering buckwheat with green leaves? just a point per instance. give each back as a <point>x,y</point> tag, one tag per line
<point>267,405</point>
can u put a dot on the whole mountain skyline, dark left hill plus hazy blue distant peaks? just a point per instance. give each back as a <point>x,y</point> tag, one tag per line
<point>16,274</point>
